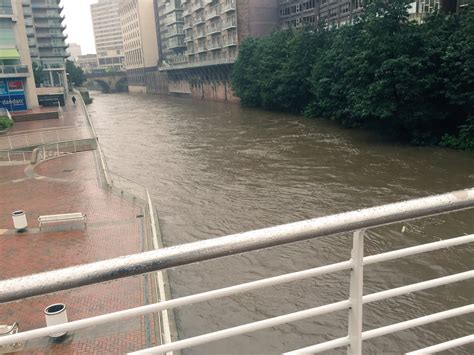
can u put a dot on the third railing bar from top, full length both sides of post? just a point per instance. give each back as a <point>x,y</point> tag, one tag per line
<point>247,328</point>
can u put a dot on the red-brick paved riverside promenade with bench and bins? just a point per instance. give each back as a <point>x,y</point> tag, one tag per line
<point>72,183</point>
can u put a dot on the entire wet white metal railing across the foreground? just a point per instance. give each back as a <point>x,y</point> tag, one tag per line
<point>357,222</point>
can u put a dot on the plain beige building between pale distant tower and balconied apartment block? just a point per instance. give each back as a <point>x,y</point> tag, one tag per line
<point>138,22</point>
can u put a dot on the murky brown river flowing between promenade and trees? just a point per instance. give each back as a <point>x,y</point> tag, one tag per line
<point>214,169</point>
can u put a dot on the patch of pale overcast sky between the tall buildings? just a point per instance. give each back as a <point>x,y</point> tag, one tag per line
<point>79,24</point>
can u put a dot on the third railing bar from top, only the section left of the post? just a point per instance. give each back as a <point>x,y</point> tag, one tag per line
<point>247,328</point>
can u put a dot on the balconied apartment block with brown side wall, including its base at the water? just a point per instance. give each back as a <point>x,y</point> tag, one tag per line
<point>200,41</point>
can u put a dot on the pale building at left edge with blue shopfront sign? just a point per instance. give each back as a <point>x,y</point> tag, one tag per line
<point>17,84</point>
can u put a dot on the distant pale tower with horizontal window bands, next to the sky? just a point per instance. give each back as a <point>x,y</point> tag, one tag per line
<point>108,35</point>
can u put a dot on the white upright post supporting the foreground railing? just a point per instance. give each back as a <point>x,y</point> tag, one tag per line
<point>356,294</point>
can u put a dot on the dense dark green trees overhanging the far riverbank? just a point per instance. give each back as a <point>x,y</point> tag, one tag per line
<point>409,80</point>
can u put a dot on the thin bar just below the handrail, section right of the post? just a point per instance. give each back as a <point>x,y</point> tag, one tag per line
<point>396,254</point>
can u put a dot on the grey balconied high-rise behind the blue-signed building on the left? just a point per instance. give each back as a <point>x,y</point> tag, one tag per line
<point>44,27</point>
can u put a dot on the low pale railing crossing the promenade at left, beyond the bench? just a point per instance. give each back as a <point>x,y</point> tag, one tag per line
<point>22,139</point>
